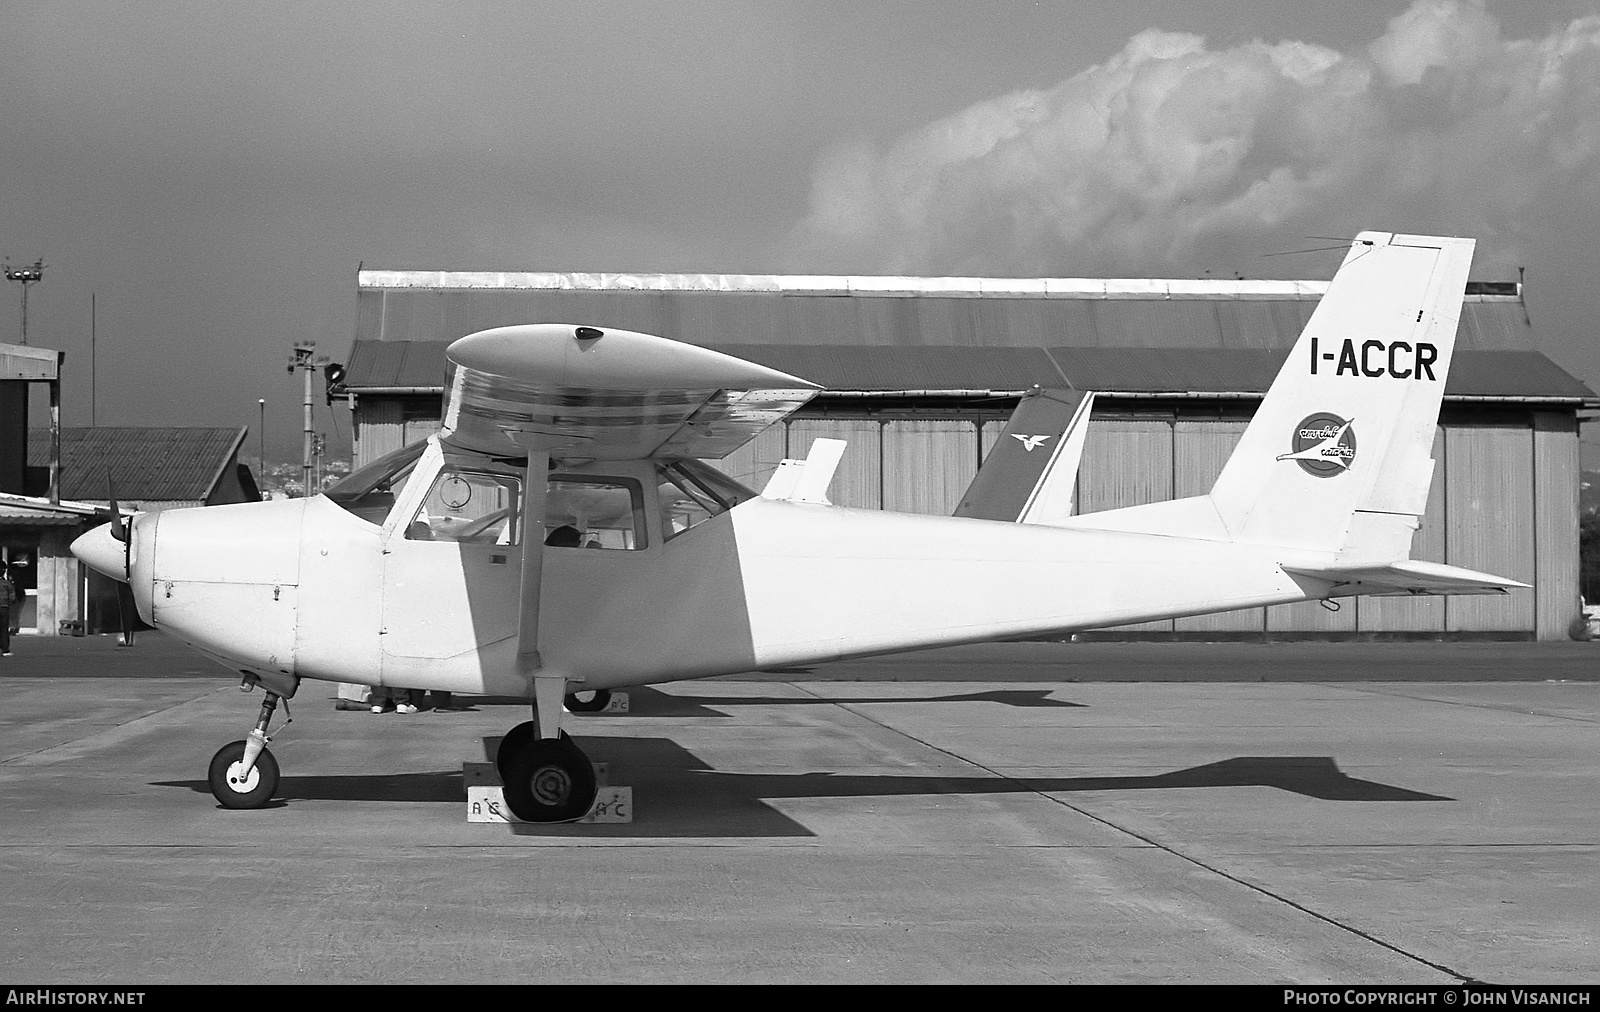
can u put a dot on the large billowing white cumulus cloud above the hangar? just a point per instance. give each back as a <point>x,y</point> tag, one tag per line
<point>1174,158</point>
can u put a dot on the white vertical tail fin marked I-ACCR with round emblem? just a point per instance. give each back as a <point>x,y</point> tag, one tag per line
<point>1337,457</point>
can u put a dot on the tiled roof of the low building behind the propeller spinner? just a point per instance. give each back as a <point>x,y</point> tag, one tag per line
<point>146,465</point>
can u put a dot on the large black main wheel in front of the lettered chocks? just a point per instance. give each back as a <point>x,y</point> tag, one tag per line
<point>546,779</point>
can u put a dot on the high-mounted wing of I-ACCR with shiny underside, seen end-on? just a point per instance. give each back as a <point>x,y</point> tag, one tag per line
<point>607,395</point>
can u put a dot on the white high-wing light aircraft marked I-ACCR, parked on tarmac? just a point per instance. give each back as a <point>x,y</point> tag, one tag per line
<point>562,536</point>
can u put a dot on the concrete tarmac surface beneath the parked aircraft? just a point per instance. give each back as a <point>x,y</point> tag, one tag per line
<point>1010,814</point>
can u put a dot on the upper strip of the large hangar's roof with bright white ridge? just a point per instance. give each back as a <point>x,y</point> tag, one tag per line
<point>897,311</point>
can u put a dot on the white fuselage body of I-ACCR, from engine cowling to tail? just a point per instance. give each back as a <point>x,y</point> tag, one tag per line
<point>310,588</point>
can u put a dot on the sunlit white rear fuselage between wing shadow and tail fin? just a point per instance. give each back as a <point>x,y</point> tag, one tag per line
<point>826,584</point>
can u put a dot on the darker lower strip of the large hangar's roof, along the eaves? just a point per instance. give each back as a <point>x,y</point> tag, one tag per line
<point>418,367</point>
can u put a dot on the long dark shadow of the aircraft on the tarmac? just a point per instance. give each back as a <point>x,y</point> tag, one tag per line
<point>678,795</point>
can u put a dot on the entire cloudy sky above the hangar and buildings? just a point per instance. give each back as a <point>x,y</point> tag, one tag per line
<point>215,174</point>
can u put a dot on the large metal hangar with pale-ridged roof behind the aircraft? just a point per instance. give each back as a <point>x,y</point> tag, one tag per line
<point>922,374</point>
